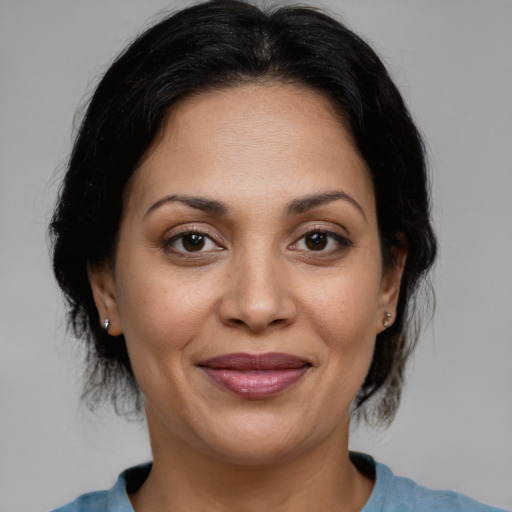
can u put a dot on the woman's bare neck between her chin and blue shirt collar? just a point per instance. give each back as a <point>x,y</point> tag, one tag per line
<point>323,478</point>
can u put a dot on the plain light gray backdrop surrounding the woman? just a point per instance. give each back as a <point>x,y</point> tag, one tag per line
<point>452,60</point>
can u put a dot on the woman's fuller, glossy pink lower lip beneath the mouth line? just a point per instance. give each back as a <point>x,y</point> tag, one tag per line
<point>256,384</point>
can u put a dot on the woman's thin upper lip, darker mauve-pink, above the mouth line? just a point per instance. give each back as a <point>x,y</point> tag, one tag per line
<point>247,362</point>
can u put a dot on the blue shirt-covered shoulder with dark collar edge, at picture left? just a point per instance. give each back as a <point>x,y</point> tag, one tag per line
<point>113,500</point>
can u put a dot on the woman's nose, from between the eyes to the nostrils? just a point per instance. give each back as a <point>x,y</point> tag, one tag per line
<point>259,295</point>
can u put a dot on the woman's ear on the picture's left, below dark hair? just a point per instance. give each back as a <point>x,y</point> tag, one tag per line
<point>103,288</point>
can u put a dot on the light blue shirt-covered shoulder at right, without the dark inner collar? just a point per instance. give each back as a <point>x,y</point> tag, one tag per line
<point>394,493</point>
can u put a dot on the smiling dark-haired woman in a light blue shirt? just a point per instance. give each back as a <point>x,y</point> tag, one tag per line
<point>241,233</point>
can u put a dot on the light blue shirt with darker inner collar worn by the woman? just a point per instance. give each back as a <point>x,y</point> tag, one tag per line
<point>390,494</point>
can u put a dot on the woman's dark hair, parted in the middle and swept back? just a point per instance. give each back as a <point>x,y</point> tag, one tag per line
<point>218,44</point>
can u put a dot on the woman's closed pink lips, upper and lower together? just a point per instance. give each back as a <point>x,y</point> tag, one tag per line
<point>255,376</point>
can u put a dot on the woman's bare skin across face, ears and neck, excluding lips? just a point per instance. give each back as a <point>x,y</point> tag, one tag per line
<point>255,286</point>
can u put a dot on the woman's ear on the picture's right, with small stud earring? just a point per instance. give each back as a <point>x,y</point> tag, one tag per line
<point>390,288</point>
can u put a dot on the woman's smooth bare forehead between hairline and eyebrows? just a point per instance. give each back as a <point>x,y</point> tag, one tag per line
<point>249,141</point>
